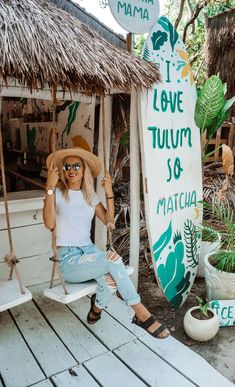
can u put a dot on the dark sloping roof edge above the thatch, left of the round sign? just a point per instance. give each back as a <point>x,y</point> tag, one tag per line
<point>90,20</point>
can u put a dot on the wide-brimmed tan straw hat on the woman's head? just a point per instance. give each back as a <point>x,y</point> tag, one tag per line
<point>93,161</point>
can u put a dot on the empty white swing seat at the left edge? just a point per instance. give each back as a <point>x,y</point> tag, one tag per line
<point>10,294</point>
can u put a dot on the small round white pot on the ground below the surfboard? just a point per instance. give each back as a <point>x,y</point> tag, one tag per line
<point>200,330</point>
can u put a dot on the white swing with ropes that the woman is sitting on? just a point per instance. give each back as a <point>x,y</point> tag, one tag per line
<point>71,291</point>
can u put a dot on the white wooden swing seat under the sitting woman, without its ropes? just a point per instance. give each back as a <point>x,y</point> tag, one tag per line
<point>75,291</point>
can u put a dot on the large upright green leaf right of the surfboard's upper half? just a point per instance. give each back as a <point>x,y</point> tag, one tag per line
<point>211,110</point>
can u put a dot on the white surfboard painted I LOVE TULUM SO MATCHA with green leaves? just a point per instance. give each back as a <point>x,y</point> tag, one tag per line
<point>171,164</point>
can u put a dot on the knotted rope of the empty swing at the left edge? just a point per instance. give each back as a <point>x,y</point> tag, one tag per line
<point>10,258</point>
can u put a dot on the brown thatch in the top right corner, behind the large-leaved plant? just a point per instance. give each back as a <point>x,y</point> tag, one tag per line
<point>220,47</point>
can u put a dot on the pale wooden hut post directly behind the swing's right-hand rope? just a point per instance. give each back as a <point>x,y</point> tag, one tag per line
<point>100,228</point>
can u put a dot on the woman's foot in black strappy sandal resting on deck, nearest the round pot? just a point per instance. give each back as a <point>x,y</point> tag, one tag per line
<point>152,326</point>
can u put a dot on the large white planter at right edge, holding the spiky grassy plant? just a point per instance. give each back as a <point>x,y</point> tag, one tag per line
<point>220,284</point>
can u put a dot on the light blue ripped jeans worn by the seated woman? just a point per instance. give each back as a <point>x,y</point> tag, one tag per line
<point>80,264</point>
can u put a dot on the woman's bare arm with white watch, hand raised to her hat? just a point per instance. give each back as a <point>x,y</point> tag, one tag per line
<point>49,209</point>
